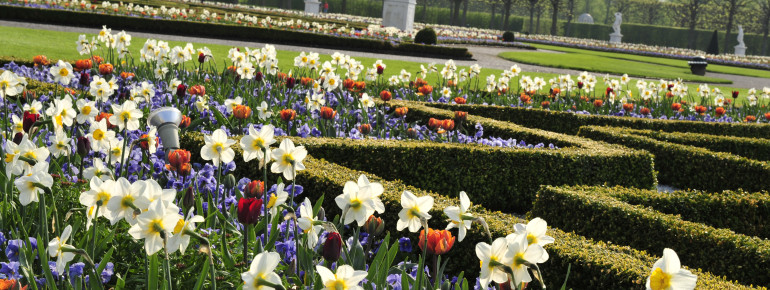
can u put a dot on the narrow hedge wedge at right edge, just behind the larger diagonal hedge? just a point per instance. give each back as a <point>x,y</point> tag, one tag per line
<point>752,148</point>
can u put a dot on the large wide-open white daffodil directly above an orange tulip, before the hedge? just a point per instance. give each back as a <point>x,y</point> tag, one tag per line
<point>361,200</point>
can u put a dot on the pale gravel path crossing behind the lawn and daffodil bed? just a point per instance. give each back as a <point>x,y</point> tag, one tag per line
<point>485,56</point>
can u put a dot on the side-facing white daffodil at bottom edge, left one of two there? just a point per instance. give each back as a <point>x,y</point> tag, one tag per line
<point>262,270</point>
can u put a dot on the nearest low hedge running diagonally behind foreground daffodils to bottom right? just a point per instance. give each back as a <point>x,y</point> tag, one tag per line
<point>594,265</point>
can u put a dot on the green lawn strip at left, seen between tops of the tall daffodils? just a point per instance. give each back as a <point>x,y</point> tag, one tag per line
<point>26,43</point>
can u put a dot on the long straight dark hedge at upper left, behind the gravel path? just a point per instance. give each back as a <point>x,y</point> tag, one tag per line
<point>227,31</point>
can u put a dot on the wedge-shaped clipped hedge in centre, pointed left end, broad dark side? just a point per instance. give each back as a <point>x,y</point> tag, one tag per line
<point>499,178</point>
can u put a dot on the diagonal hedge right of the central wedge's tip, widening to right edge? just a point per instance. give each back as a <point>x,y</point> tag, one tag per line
<point>685,166</point>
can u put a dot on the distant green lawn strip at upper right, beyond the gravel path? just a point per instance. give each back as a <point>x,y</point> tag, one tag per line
<point>661,61</point>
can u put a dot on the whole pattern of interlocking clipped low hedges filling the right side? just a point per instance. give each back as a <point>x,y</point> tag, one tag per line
<point>596,190</point>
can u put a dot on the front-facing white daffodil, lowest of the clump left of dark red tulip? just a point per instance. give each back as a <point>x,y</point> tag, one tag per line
<point>158,220</point>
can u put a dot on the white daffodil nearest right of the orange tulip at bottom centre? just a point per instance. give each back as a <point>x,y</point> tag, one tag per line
<point>492,258</point>
